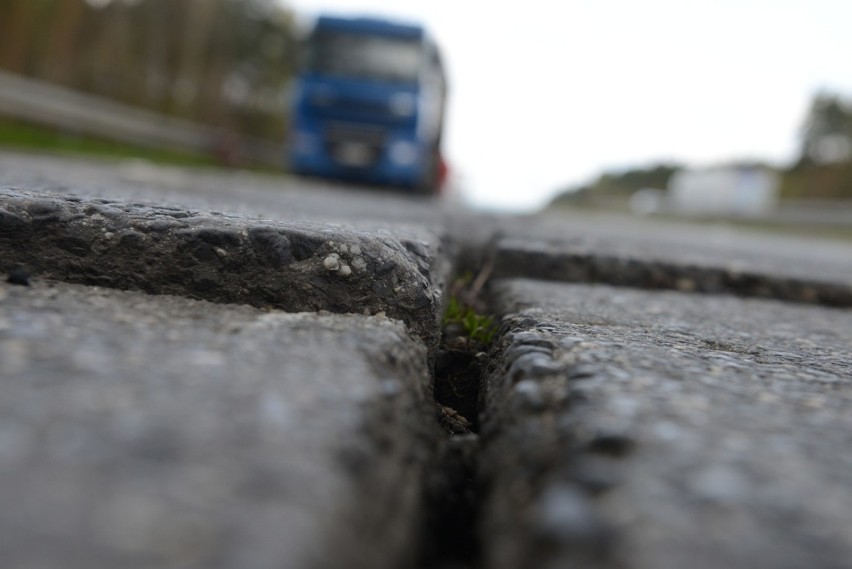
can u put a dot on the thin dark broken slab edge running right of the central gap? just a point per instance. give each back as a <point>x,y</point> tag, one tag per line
<point>513,258</point>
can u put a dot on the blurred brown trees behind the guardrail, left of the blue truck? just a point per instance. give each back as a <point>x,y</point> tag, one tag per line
<point>225,63</point>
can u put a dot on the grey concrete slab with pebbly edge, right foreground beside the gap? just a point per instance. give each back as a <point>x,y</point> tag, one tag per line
<point>631,429</point>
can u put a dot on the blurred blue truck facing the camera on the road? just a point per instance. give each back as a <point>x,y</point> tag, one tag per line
<point>368,105</point>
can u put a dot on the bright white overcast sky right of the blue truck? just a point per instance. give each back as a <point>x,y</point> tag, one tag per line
<point>546,94</point>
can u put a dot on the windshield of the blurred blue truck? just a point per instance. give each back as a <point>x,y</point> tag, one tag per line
<point>365,56</point>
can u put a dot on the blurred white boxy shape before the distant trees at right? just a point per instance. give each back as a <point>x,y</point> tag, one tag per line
<point>724,190</point>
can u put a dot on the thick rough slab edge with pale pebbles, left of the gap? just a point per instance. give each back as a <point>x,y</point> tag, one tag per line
<point>222,258</point>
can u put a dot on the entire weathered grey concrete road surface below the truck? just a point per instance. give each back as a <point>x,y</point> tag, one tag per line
<point>662,396</point>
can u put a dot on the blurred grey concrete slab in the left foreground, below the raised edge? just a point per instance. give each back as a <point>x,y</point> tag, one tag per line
<point>157,431</point>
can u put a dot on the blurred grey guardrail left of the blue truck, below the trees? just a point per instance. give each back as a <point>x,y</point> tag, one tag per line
<point>53,105</point>
